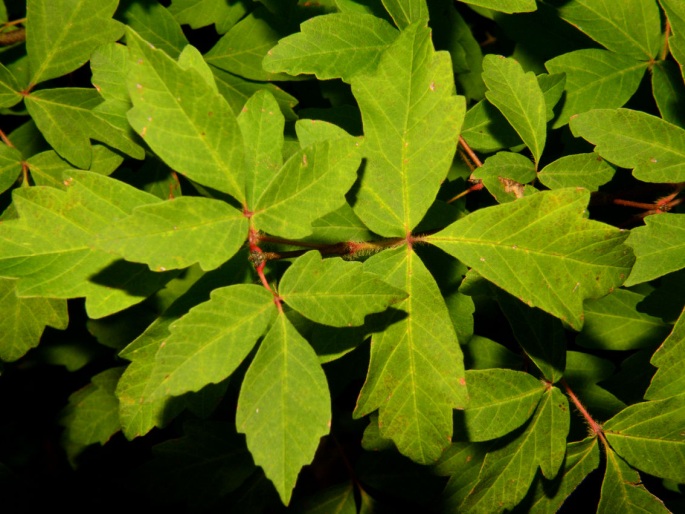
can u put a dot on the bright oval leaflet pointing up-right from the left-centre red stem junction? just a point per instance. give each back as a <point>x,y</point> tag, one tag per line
<point>312,183</point>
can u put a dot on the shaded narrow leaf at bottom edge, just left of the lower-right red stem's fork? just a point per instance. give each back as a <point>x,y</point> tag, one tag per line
<point>582,457</point>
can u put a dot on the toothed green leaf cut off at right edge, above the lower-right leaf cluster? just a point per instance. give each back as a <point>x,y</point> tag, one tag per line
<point>669,358</point>
